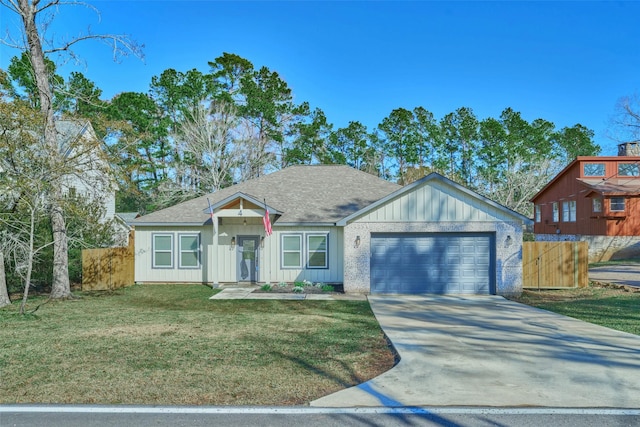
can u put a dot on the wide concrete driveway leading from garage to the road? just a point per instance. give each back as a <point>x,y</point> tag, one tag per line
<point>488,351</point>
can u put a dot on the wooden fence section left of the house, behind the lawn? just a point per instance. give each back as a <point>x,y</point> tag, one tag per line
<point>108,268</point>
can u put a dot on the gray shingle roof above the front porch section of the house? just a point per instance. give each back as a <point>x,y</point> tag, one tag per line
<point>304,194</point>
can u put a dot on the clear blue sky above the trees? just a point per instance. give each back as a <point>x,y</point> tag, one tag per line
<point>566,62</point>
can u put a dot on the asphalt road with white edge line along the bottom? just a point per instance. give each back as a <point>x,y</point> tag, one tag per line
<point>73,416</point>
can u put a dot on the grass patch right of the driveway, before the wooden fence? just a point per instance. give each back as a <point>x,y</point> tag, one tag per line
<point>613,307</point>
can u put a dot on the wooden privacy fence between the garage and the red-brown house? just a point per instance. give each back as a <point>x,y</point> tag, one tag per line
<point>553,265</point>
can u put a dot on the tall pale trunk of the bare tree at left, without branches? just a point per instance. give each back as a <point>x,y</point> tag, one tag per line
<point>60,287</point>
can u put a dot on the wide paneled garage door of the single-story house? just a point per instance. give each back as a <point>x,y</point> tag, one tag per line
<point>439,263</point>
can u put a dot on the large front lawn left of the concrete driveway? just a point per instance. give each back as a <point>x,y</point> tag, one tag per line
<point>170,344</point>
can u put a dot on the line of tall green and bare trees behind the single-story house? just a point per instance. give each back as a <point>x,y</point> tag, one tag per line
<point>195,132</point>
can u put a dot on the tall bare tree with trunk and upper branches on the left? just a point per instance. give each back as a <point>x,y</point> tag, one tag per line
<point>35,16</point>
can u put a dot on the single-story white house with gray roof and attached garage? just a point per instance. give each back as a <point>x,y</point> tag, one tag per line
<point>335,224</point>
